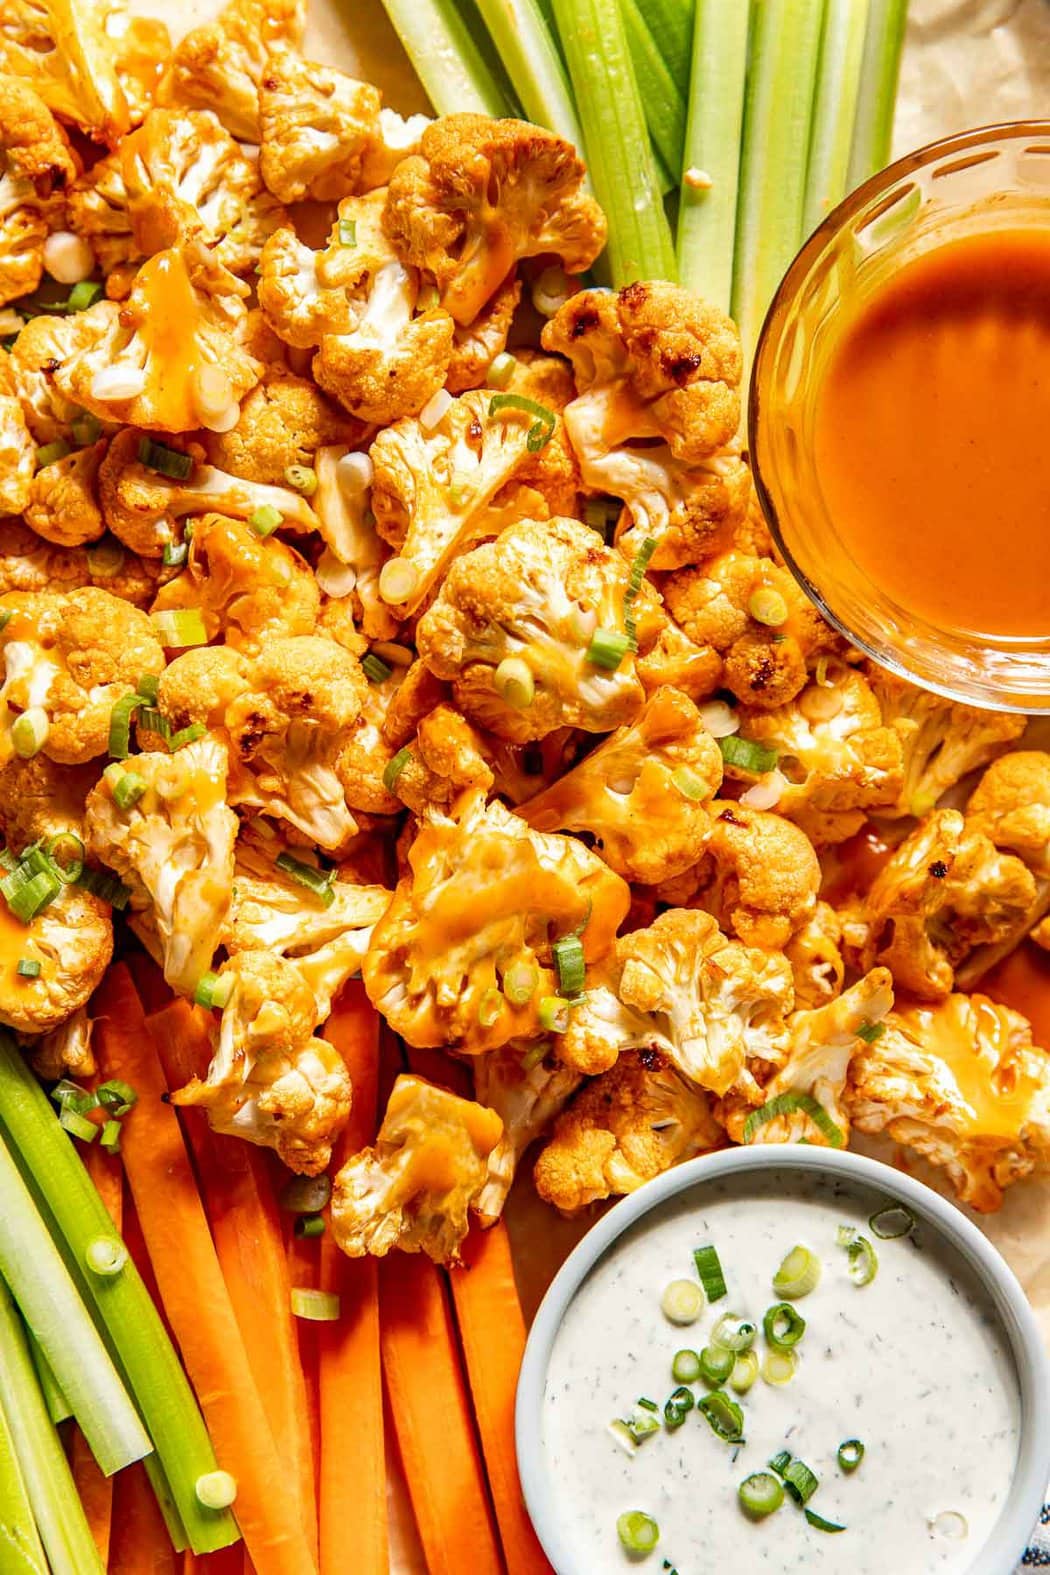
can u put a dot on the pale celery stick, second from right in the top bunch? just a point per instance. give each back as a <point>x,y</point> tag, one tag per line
<point>838,87</point>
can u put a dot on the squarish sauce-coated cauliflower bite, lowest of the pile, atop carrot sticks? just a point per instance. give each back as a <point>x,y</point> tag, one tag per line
<point>415,1188</point>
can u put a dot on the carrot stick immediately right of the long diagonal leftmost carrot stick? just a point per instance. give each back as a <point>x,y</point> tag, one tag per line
<point>246,1229</point>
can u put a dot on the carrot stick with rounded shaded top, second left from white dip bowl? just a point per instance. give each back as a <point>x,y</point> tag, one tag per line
<point>432,1417</point>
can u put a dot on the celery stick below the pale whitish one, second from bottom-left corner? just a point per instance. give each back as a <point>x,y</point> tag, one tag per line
<point>50,1484</point>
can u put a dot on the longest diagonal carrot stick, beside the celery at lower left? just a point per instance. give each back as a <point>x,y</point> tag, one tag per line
<point>194,1291</point>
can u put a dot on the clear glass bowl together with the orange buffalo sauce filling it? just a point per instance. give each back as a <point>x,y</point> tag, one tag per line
<point>900,420</point>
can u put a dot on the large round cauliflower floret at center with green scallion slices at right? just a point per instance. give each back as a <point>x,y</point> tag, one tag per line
<point>534,599</point>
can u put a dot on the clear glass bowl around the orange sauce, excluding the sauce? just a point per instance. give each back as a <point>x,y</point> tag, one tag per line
<point>997,177</point>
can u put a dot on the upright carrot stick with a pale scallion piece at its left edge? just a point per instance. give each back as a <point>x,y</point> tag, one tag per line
<point>349,1352</point>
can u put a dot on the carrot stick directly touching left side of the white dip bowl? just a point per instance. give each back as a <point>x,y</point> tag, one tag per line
<point>494,1336</point>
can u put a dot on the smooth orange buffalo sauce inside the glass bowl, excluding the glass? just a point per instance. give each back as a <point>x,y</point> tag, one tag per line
<point>931,435</point>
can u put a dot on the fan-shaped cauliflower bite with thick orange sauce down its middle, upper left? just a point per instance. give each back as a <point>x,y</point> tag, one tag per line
<point>144,363</point>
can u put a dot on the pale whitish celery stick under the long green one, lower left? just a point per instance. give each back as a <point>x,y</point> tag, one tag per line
<point>50,1302</point>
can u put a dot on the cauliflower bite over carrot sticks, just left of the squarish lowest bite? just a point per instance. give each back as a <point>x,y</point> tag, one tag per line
<point>272,1081</point>
